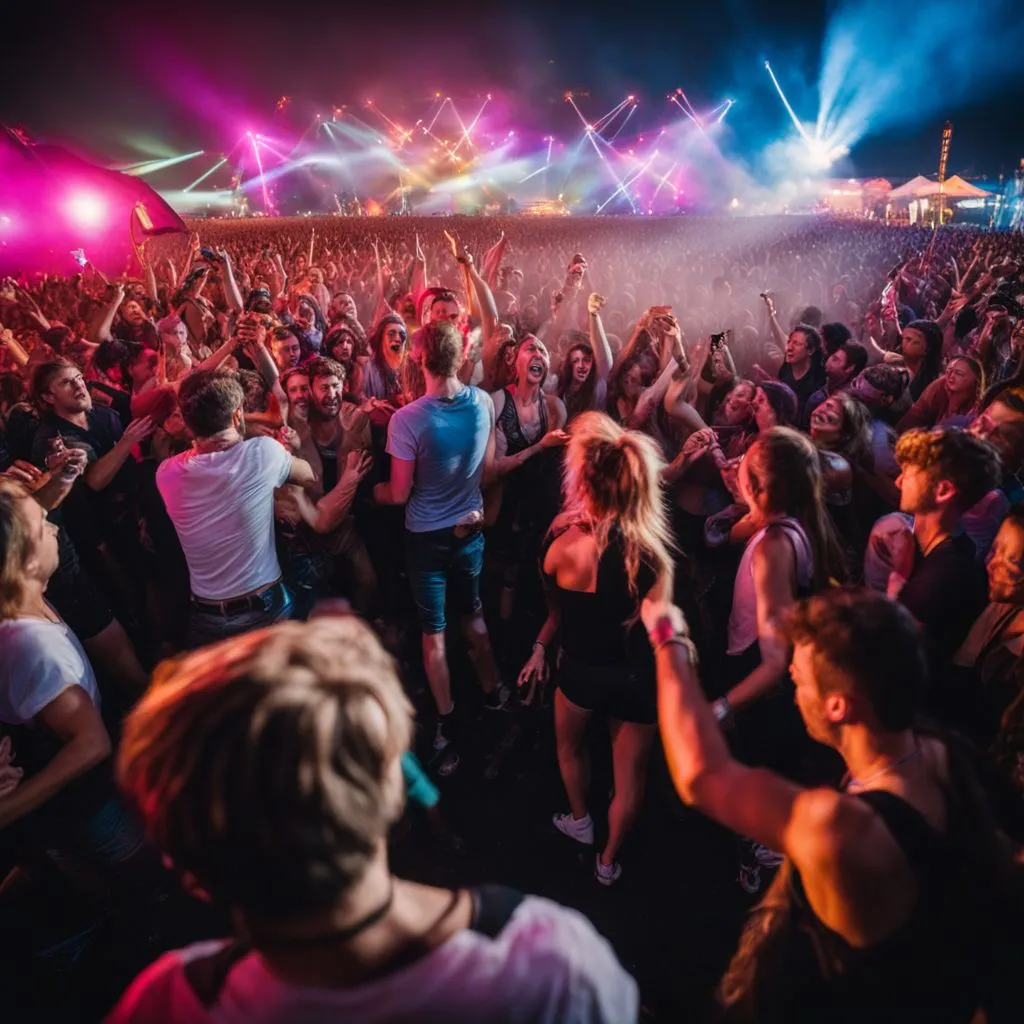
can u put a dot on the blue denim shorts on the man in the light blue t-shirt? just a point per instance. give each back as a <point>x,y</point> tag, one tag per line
<point>442,565</point>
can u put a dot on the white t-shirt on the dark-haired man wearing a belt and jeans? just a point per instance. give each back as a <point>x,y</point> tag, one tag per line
<point>222,504</point>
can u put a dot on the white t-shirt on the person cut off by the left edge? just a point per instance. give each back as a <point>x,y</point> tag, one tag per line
<point>39,661</point>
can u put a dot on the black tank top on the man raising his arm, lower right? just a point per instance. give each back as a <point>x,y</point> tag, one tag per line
<point>929,970</point>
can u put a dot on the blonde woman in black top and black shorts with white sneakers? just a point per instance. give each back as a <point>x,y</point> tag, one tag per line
<point>605,553</point>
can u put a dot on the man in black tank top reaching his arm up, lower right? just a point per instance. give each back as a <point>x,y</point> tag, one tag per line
<point>893,902</point>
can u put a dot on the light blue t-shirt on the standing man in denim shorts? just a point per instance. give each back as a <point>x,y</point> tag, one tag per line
<point>448,441</point>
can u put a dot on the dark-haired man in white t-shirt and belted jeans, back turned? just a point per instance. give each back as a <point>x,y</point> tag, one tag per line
<point>220,496</point>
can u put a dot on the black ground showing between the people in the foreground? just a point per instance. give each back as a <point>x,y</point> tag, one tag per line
<point>673,918</point>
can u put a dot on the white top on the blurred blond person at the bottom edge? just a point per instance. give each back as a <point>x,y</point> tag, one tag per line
<point>548,965</point>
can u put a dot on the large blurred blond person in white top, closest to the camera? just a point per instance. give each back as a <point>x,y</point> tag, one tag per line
<point>291,835</point>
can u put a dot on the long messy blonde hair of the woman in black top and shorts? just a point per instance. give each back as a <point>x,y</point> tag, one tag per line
<point>613,478</point>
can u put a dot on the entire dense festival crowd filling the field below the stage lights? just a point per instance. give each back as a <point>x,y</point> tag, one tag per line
<point>746,491</point>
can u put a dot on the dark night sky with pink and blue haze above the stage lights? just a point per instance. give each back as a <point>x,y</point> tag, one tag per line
<point>121,86</point>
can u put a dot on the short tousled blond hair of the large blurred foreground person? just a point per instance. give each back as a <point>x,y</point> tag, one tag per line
<point>269,766</point>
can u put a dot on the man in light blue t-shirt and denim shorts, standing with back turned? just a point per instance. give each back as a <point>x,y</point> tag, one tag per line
<point>442,446</point>
